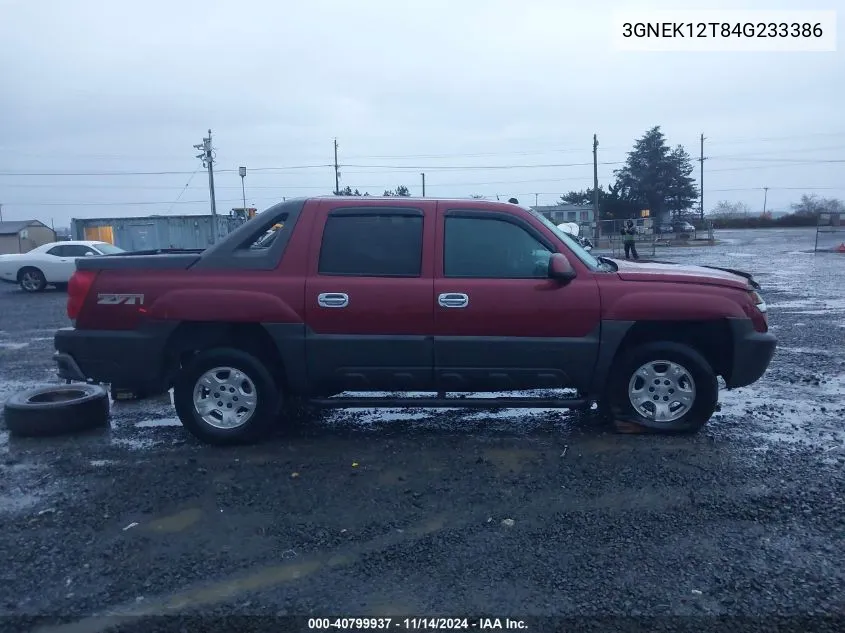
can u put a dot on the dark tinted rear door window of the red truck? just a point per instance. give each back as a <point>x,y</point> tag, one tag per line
<point>372,244</point>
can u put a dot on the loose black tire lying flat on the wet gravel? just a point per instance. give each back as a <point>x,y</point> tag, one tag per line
<point>56,410</point>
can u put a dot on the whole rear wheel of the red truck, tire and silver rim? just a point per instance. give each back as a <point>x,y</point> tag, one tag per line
<point>226,396</point>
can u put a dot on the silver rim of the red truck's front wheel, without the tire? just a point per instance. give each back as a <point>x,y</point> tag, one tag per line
<point>662,391</point>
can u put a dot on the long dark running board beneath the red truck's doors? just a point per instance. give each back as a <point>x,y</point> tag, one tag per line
<point>452,403</point>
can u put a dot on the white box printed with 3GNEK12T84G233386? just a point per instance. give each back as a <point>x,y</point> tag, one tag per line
<point>725,31</point>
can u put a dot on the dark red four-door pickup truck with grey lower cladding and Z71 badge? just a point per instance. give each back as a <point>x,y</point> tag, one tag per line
<point>410,295</point>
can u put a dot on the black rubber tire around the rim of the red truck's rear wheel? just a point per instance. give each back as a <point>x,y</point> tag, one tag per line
<point>256,427</point>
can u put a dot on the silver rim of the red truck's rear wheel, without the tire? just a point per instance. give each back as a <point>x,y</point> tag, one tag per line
<point>225,398</point>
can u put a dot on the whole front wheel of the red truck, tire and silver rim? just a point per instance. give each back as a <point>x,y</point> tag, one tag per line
<point>665,387</point>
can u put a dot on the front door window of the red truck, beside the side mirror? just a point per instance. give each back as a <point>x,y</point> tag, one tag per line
<point>492,249</point>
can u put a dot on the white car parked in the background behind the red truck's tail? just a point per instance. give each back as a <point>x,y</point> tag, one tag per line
<point>51,263</point>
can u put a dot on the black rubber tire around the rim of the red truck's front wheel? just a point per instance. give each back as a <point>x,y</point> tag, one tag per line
<point>704,378</point>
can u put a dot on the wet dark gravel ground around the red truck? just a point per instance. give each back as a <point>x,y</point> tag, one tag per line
<point>408,513</point>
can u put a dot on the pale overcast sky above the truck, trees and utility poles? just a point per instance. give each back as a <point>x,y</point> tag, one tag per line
<point>481,95</point>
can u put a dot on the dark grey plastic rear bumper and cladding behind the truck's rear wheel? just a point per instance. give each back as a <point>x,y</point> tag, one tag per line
<point>131,359</point>
